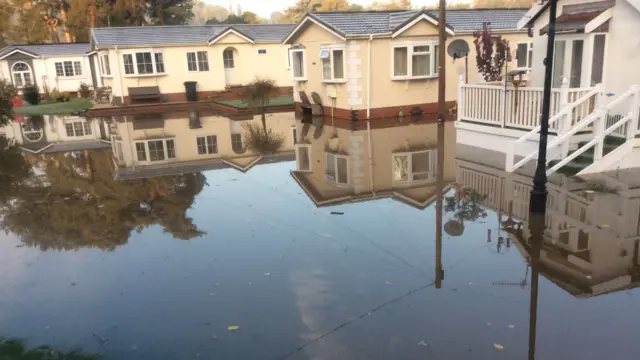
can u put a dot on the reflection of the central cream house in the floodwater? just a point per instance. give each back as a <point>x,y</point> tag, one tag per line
<point>342,165</point>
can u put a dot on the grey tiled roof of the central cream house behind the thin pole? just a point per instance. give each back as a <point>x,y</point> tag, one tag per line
<point>377,22</point>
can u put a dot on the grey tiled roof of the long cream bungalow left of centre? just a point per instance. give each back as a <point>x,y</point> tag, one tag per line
<point>184,34</point>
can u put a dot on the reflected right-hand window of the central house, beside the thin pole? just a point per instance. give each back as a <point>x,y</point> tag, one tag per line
<point>414,166</point>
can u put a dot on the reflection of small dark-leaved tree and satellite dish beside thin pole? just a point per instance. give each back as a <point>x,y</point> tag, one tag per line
<point>465,206</point>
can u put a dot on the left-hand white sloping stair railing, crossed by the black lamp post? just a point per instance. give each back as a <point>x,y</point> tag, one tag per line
<point>568,117</point>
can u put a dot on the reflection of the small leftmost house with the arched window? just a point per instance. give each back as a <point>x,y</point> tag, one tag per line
<point>49,134</point>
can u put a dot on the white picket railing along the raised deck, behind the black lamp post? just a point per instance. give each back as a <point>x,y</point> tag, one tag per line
<point>517,108</point>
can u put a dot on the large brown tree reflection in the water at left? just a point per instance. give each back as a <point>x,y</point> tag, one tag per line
<point>71,201</point>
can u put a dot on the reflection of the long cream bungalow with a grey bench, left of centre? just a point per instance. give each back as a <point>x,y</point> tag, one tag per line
<point>160,144</point>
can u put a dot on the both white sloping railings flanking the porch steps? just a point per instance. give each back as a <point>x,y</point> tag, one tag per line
<point>606,120</point>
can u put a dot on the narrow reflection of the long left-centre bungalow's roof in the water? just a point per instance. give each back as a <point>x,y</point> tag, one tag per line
<point>196,166</point>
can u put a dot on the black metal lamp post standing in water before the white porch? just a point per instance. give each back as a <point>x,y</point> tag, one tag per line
<point>538,201</point>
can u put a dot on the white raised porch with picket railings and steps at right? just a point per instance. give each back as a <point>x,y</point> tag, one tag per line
<point>583,122</point>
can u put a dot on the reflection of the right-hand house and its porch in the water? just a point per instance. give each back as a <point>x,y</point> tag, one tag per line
<point>591,239</point>
